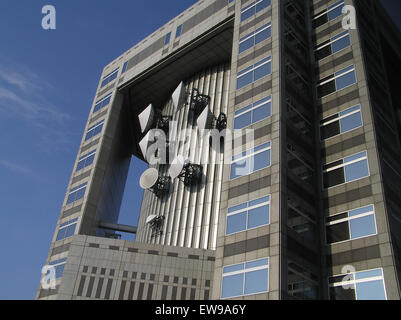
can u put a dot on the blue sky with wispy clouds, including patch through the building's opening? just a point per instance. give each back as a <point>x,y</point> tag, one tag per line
<point>47,82</point>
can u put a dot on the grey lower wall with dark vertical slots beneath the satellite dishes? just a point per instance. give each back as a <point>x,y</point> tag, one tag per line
<point>107,269</point>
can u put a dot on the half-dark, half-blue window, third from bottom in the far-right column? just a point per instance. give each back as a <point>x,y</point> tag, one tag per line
<point>346,170</point>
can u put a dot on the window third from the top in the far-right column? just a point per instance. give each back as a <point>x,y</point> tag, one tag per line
<point>336,82</point>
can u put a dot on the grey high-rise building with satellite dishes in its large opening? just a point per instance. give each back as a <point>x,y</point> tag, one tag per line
<point>303,199</point>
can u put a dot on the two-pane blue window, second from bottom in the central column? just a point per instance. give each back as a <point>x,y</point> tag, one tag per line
<point>249,215</point>
